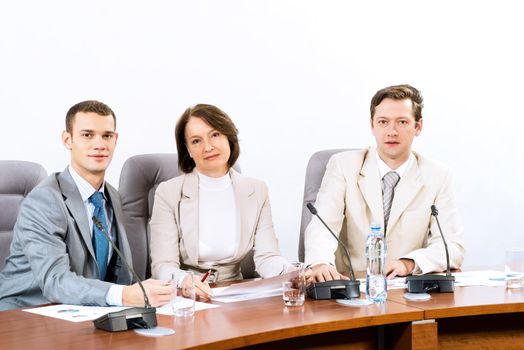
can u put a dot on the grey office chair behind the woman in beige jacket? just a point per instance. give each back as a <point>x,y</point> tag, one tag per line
<point>139,178</point>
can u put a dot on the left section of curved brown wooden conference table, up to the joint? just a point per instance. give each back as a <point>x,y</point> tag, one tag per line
<point>229,326</point>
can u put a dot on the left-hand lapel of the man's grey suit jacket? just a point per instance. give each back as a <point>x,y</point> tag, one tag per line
<point>75,205</point>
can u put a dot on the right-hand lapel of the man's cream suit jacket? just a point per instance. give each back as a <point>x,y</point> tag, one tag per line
<point>406,190</point>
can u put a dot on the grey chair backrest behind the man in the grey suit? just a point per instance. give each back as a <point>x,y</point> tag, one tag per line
<point>17,179</point>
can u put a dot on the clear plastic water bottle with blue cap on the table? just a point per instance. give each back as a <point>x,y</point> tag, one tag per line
<point>376,284</point>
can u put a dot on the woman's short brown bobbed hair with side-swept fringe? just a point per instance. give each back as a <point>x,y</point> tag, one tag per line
<point>218,120</point>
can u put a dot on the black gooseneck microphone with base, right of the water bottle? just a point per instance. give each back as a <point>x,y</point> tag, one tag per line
<point>429,283</point>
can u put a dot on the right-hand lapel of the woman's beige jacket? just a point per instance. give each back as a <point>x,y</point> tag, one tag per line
<point>247,209</point>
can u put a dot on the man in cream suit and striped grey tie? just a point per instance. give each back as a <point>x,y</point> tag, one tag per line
<point>351,193</point>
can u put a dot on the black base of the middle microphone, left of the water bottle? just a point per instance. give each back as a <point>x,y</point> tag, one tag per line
<point>338,289</point>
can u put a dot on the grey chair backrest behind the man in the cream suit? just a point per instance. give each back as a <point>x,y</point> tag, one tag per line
<point>315,170</point>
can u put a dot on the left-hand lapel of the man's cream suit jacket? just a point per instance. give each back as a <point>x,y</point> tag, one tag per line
<point>369,184</point>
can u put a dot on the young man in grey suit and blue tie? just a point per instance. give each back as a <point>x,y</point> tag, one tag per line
<point>57,254</point>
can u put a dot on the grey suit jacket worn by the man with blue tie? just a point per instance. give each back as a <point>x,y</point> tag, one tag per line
<point>52,259</point>
